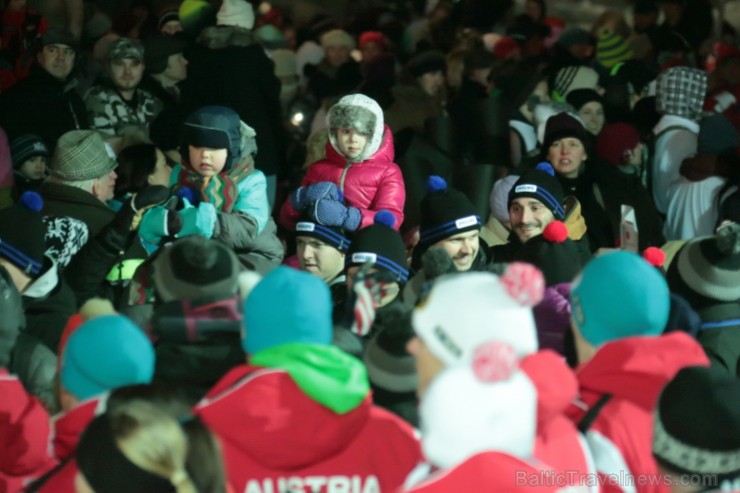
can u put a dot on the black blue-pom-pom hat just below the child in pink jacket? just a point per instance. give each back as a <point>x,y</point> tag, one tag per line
<point>382,245</point>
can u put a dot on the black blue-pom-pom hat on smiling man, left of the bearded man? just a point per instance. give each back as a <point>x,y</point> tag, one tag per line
<point>445,212</point>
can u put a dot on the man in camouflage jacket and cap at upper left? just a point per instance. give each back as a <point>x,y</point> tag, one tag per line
<point>117,106</point>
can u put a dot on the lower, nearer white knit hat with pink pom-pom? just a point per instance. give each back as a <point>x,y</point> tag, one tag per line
<point>484,403</point>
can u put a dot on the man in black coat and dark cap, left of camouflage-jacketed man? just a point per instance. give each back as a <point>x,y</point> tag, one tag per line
<point>45,103</point>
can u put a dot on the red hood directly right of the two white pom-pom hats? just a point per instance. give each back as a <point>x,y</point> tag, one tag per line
<point>556,384</point>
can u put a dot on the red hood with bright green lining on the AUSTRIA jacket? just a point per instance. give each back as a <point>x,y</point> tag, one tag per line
<point>299,405</point>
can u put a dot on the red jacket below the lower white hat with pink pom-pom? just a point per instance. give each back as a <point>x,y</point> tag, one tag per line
<point>490,471</point>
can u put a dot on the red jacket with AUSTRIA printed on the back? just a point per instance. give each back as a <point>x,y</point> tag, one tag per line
<point>276,438</point>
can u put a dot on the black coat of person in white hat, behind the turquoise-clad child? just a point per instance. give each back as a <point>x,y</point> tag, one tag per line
<point>228,68</point>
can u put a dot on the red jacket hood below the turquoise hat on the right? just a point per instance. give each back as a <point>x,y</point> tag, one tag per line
<point>637,368</point>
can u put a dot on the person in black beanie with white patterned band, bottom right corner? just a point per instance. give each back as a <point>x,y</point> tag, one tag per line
<point>699,454</point>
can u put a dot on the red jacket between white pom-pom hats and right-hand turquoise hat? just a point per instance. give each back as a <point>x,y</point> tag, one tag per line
<point>558,444</point>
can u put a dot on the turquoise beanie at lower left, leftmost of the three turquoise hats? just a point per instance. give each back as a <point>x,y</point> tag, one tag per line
<point>106,353</point>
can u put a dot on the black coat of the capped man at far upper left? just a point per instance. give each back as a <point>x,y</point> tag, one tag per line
<point>42,105</point>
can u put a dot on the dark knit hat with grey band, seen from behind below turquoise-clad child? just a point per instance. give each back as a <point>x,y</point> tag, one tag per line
<point>194,268</point>
